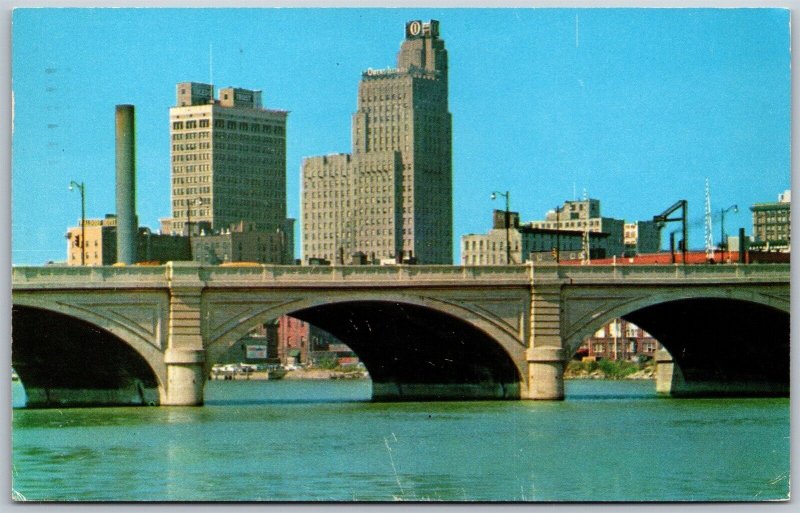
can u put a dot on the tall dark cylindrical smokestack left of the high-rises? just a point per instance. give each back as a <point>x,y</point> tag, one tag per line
<point>127,225</point>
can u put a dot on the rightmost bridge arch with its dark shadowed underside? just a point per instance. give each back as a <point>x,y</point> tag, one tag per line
<point>720,342</point>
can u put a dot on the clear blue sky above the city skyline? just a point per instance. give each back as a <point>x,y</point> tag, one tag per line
<point>637,107</point>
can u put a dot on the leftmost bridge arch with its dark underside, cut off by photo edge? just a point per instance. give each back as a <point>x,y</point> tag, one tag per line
<point>113,366</point>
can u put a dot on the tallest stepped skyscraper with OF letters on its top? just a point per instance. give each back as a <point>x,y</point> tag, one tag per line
<point>392,197</point>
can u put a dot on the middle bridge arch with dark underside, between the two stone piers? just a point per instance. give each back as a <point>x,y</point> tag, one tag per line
<point>410,320</point>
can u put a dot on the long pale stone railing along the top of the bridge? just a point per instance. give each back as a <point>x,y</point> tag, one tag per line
<point>403,275</point>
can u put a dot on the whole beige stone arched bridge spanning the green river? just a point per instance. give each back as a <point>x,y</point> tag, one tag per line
<point>149,335</point>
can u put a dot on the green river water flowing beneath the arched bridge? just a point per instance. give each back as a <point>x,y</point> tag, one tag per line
<point>325,441</point>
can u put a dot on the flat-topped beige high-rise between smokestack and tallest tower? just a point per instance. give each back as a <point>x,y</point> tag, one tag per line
<point>228,161</point>
